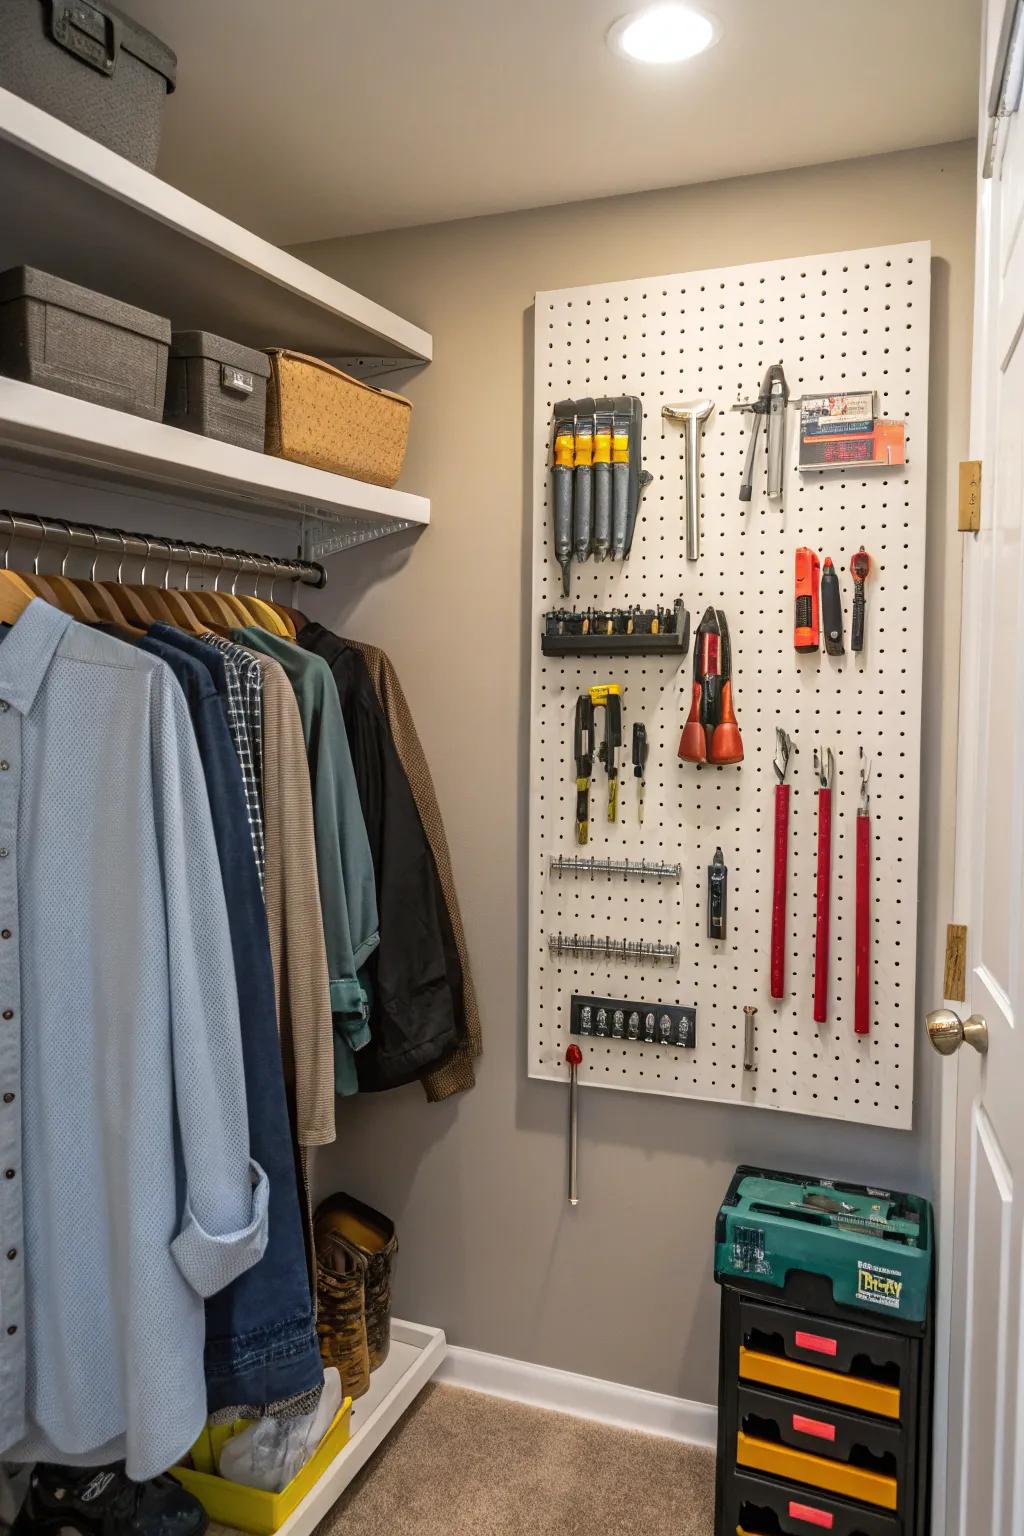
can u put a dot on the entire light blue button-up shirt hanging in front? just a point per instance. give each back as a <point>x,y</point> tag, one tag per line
<point>127,1188</point>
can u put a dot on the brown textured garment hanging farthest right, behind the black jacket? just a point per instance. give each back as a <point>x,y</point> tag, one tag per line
<point>455,1074</point>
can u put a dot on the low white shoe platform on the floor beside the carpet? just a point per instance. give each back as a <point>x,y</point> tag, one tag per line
<point>415,1356</point>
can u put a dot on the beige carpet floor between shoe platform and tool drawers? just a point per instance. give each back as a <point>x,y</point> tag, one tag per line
<point>461,1465</point>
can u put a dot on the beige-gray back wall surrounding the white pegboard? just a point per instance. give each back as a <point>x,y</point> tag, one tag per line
<point>623,1286</point>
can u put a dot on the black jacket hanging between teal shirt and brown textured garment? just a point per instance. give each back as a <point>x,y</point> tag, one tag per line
<point>414,978</point>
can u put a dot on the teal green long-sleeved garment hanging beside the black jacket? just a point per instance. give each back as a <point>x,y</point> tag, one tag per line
<point>345,867</point>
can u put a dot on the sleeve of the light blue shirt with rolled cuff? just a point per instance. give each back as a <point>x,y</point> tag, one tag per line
<point>225,1219</point>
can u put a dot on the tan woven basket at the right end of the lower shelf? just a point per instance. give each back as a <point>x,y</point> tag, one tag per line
<point>322,417</point>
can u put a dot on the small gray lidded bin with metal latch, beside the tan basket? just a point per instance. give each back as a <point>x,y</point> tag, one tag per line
<point>217,388</point>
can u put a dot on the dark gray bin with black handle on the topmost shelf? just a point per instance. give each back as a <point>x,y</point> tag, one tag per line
<point>91,67</point>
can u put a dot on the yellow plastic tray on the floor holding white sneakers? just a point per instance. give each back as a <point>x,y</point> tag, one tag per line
<point>253,1509</point>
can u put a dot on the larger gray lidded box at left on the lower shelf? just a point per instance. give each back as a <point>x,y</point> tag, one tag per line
<point>68,339</point>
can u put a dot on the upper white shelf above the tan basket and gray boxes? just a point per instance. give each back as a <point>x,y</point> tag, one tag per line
<point>74,208</point>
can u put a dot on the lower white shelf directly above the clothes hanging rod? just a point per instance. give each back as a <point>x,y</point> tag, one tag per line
<point>74,437</point>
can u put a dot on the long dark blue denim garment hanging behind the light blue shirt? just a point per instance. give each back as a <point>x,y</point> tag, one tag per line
<point>262,1351</point>
